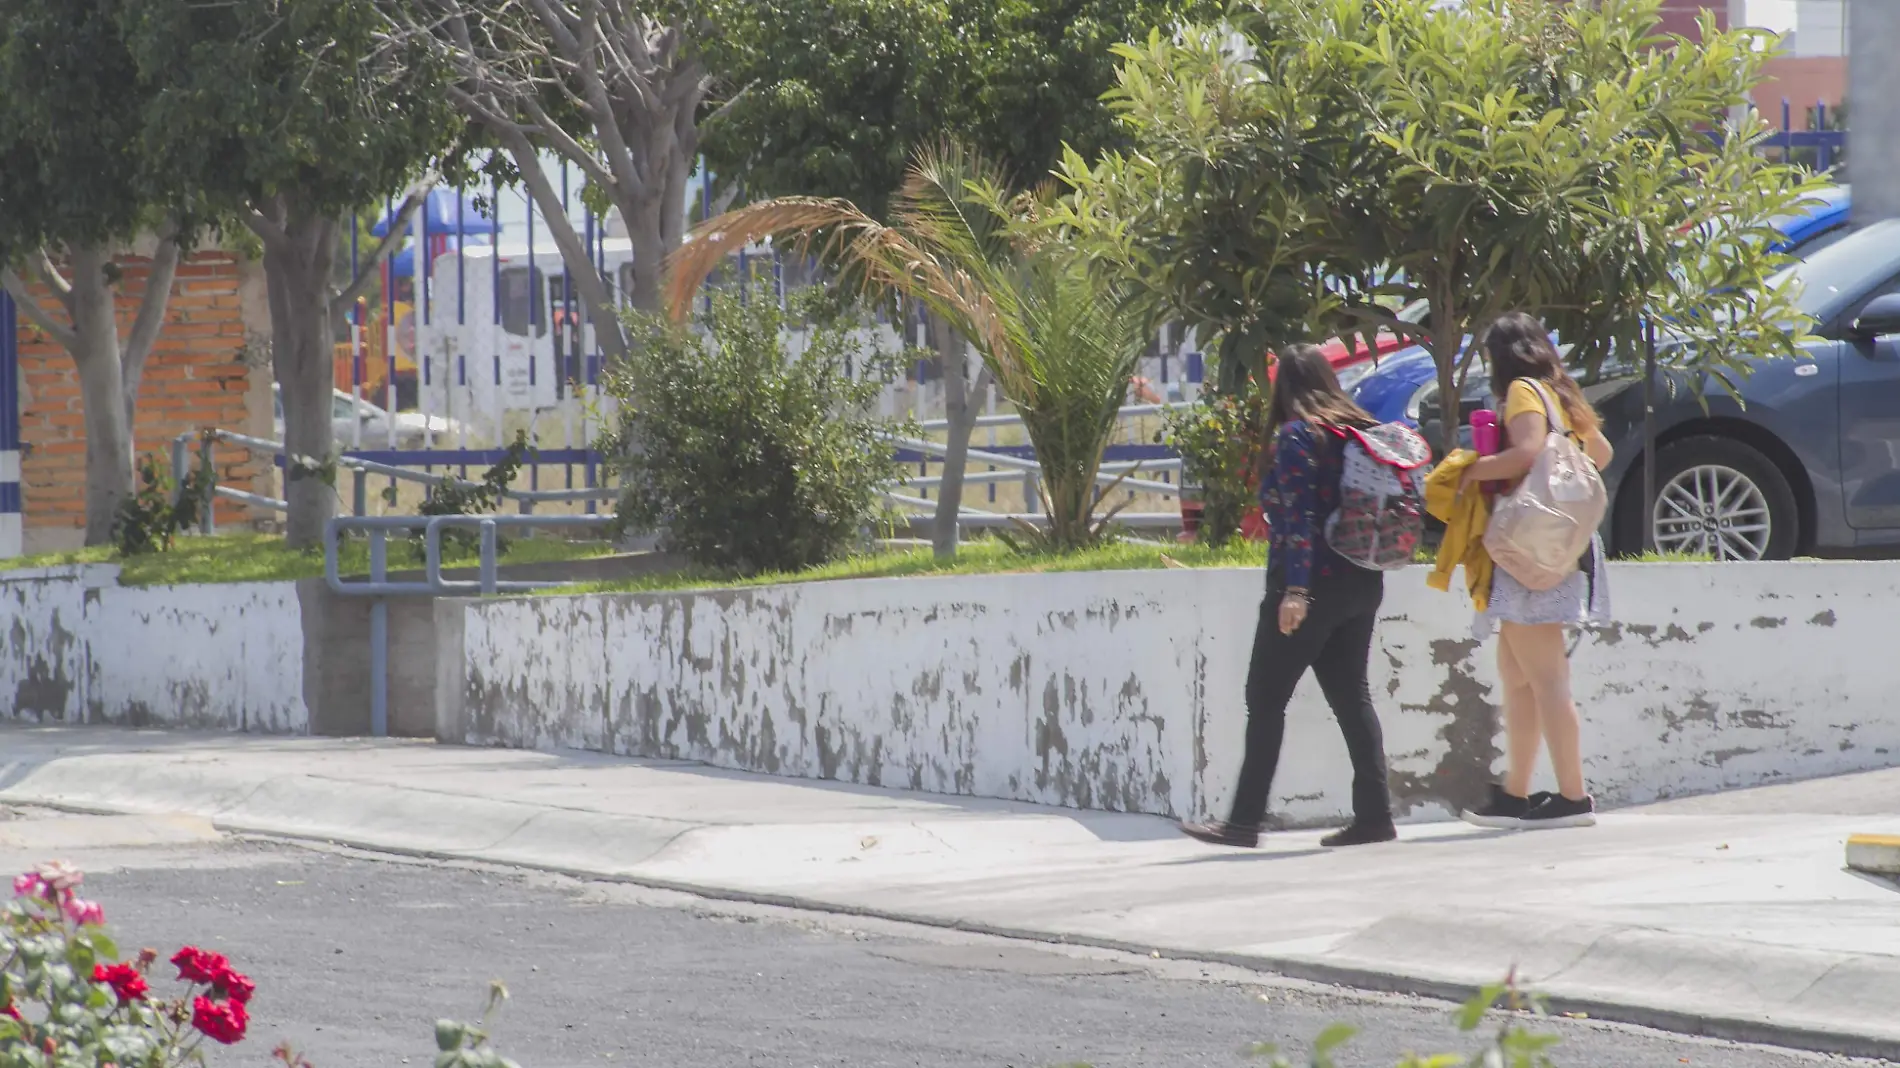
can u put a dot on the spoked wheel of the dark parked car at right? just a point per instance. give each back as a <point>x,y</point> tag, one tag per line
<point>1715,499</point>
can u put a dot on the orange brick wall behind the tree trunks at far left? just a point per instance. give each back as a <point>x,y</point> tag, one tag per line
<point>197,377</point>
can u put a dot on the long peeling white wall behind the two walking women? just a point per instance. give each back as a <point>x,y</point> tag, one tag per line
<point>1124,689</point>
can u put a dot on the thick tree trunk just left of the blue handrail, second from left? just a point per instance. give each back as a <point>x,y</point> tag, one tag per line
<point>297,273</point>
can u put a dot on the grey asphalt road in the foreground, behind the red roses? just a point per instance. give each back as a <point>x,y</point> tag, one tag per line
<point>356,957</point>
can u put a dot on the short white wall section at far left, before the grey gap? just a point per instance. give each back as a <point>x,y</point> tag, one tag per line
<point>83,649</point>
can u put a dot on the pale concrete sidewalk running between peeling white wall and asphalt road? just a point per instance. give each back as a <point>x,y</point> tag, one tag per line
<point>1728,915</point>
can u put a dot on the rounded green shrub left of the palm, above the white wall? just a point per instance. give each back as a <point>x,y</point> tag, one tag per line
<point>744,455</point>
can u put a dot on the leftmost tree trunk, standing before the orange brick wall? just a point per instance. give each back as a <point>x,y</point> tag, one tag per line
<point>96,351</point>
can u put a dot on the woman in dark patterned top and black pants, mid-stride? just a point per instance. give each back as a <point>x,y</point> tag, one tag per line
<point>1318,615</point>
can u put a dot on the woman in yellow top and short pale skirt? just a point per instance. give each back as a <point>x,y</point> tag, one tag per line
<point>1532,658</point>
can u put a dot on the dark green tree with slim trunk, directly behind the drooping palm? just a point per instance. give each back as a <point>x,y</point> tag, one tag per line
<point>829,98</point>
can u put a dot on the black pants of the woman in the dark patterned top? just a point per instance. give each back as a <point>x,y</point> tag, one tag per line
<point>1337,643</point>
